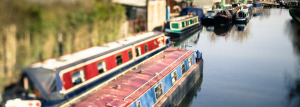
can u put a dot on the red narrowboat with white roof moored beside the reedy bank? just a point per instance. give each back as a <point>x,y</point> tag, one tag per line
<point>57,81</point>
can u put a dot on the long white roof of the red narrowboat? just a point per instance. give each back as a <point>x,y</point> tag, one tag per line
<point>57,64</point>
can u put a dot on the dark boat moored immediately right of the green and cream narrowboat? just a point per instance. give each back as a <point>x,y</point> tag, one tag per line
<point>209,17</point>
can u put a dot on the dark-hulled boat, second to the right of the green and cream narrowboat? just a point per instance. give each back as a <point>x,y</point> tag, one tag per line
<point>223,17</point>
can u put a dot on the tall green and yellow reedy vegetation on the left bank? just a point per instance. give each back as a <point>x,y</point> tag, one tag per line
<point>31,30</point>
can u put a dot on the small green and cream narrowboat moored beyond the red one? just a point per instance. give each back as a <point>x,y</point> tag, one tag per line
<point>188,21</point>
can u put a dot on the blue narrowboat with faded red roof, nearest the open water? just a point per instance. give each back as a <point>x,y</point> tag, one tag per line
<point>160,81</point>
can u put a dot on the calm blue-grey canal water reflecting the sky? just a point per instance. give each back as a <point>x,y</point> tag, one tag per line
<point>248,65</point>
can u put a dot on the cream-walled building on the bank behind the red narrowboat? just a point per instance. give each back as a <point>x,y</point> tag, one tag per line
<point>144,15</point>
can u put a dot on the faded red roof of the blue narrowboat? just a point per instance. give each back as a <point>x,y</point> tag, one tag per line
<point>137,80</point>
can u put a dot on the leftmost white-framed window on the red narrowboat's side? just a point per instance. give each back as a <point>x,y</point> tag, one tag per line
<point>78,77</point>
